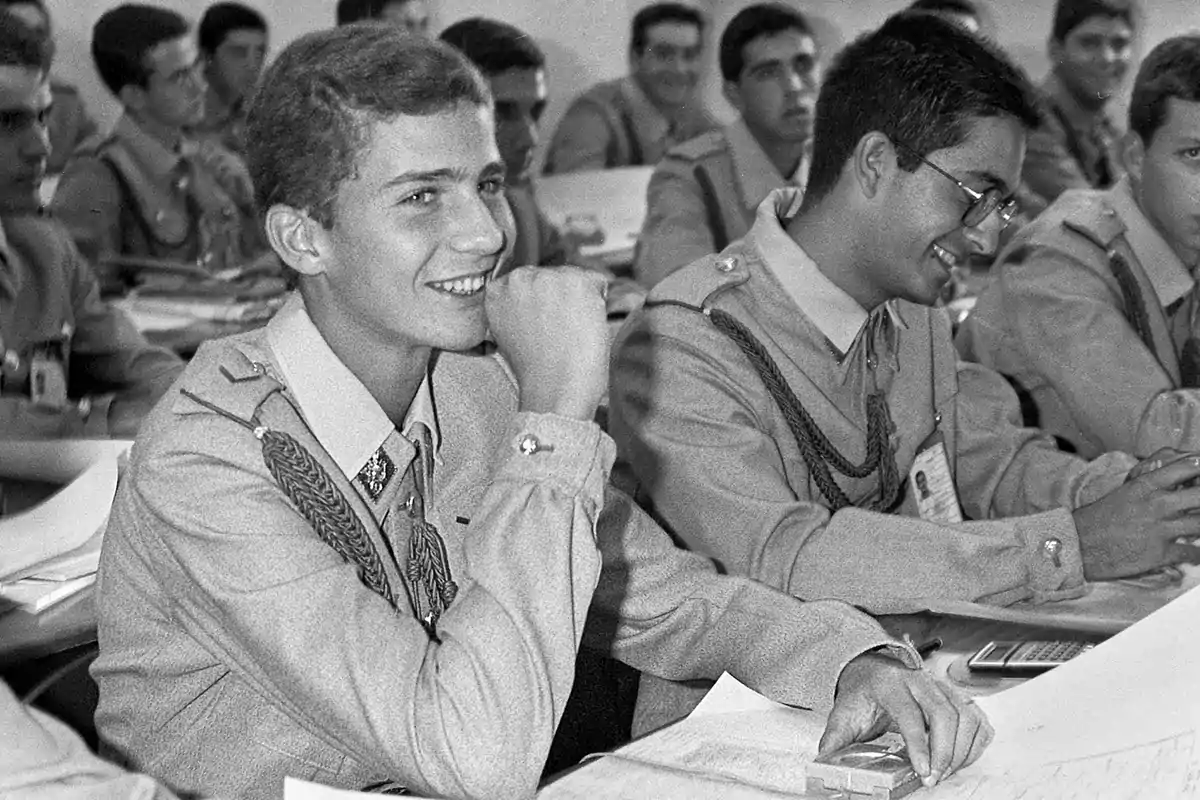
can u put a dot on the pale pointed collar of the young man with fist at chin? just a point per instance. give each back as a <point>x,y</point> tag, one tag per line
<point>343,414</point>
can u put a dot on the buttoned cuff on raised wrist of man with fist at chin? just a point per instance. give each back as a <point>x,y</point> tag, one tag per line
<point>574,455</point>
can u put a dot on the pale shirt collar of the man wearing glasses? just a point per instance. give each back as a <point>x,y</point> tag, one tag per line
<point>838,316</point>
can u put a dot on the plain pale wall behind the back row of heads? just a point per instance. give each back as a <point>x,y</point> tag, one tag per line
<point>587,40</point>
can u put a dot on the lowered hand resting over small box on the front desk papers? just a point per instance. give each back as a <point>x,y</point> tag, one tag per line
<point>944,731</point>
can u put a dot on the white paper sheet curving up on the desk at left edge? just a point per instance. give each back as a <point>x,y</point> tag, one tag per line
<point>62,524</point>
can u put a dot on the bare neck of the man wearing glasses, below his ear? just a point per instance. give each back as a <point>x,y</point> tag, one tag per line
<point>821,231</point>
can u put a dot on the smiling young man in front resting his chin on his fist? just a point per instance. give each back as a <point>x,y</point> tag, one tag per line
<point>347,552</point>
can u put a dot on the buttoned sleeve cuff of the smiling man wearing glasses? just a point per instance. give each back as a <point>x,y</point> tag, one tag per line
<point>1055,566</point>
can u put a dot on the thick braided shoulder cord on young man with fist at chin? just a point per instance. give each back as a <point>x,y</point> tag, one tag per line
<point>314,494</point>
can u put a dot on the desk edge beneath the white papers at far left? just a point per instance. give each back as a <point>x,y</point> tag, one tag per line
<point>70,624</point>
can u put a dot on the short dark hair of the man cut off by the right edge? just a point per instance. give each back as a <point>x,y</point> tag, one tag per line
<point>1172,70</point>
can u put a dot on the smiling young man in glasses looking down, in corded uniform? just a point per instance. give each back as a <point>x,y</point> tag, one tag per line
<point>919,142</point>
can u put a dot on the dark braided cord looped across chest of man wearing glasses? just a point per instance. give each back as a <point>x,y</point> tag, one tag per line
<point>815,448</point>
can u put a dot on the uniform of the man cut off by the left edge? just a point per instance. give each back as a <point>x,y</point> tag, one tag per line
<point>68,357</point>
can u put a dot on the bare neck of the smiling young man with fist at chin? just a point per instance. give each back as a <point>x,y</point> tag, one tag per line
<point>392,372</point>
